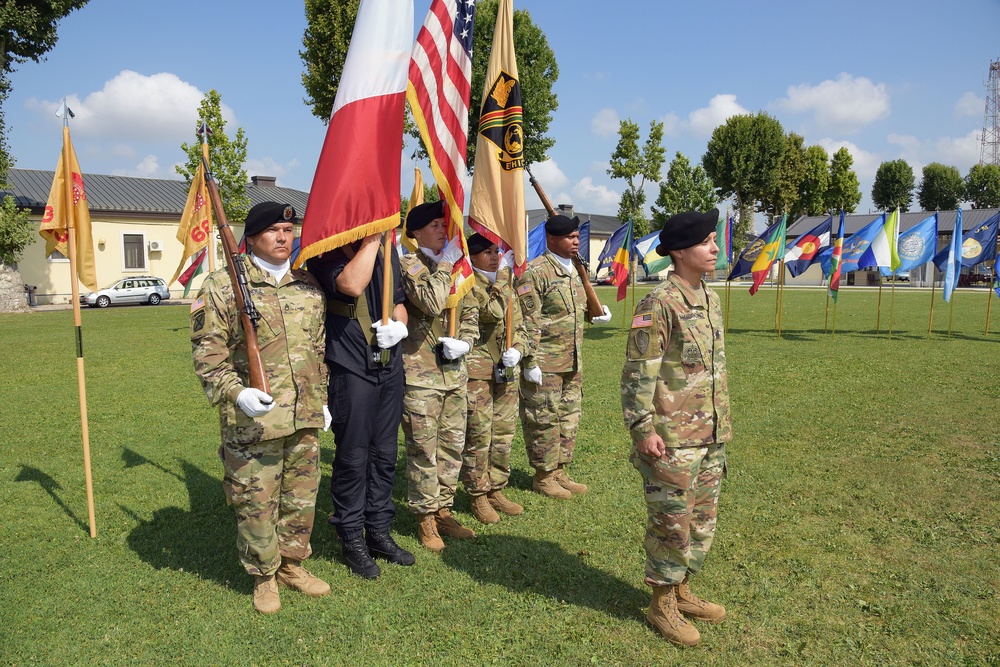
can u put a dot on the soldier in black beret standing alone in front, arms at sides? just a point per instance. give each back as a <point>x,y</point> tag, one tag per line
<point>675,403</point>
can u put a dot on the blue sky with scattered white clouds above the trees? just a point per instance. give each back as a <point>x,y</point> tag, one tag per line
<point>887,79</point>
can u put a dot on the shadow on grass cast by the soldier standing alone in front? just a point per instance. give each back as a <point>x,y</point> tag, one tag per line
<point>526,565</point>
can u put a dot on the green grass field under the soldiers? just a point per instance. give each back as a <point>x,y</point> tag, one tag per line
<point>858,524</point>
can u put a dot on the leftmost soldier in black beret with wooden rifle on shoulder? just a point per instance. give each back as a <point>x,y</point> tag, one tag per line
<point>269,451</point>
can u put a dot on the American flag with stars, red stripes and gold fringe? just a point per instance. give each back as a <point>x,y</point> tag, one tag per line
<point>438,93</point>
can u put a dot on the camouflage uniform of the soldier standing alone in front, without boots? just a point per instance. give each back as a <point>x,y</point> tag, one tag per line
<point>674,385</point>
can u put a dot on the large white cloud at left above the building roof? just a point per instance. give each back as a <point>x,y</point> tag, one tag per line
<point>132,106</point>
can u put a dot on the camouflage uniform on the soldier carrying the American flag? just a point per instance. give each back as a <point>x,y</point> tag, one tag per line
<point>434,403</point>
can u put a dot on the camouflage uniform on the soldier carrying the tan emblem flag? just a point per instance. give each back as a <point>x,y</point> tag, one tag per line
<point>492,415</point>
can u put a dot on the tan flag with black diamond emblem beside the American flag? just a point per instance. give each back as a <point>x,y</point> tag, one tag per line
<point>496,207</point>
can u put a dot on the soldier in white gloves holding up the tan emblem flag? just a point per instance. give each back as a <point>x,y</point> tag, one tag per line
<point>492,418</point>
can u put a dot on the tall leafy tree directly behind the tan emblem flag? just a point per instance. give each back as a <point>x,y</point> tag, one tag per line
<point>537,70</point>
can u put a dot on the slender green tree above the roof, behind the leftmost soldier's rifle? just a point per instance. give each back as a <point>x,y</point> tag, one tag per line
<point>227,158</point>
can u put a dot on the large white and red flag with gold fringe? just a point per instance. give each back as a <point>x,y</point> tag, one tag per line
<point>355,190</point>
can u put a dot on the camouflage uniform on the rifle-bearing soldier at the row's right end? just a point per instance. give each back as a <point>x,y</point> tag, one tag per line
<point>554,305</point>
